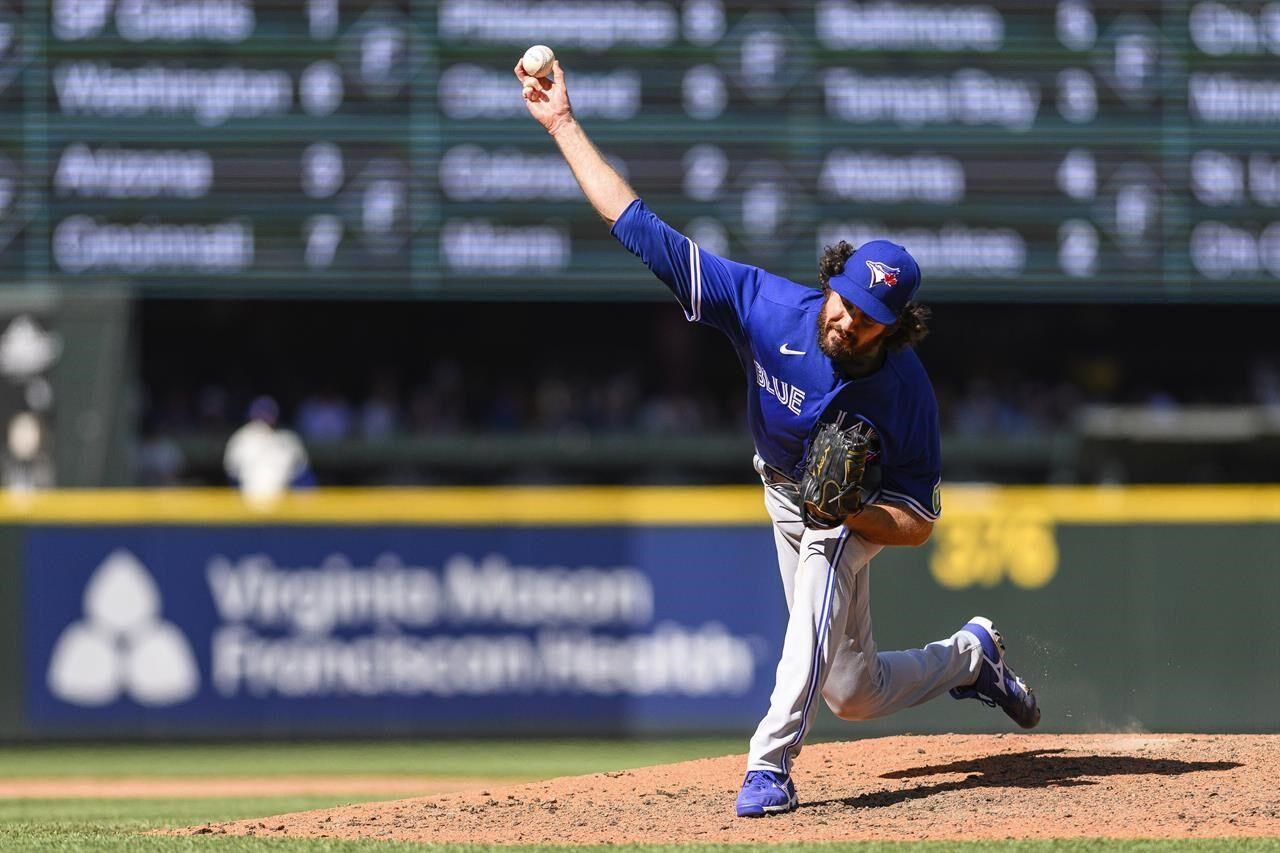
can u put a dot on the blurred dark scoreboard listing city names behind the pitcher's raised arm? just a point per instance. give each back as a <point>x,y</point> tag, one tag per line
<point>1025,149</point>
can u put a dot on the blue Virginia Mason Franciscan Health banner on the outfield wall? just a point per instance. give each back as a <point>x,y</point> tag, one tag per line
<point>330,630</point>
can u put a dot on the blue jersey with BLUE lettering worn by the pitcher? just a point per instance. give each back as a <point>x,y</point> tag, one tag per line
<point>792,385</point>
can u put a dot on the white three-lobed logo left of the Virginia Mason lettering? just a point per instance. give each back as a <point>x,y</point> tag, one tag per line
<point>122,646</point>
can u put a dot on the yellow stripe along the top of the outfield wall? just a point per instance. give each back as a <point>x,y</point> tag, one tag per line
<point>684,507</point>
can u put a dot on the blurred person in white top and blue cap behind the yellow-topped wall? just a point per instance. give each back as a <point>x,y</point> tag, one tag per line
<point>263,460</point>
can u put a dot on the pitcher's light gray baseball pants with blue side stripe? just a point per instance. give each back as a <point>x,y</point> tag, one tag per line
<point>829,647</point>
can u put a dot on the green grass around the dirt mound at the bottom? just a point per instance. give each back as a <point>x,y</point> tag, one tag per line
<point>102,825</point>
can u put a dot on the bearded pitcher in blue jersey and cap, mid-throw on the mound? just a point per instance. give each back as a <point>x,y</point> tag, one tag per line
<point>812,355</point>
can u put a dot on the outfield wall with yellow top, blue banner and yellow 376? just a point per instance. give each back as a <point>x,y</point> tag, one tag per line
<point>1127,609</point>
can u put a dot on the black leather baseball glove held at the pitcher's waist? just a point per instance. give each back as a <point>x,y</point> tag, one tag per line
<point>831,490</point>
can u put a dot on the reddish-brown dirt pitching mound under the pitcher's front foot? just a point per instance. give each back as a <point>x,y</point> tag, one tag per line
<point>952,787</point>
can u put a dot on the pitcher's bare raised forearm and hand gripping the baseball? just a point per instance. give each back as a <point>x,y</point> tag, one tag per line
<point>547,99</point>
